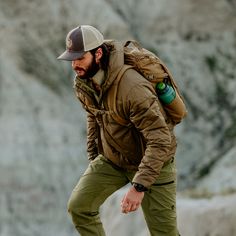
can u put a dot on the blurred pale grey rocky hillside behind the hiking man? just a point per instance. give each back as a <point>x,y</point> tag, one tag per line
<point>43,129</point>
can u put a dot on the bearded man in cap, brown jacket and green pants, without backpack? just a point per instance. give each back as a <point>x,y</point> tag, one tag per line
<point>141,153</point>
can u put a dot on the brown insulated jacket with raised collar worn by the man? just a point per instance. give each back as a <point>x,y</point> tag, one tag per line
<point>148,142</point>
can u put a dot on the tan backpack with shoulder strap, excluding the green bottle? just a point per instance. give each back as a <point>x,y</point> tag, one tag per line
<point>154,70</point>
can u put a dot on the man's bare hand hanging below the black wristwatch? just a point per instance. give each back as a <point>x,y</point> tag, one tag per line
<point>131,201</point>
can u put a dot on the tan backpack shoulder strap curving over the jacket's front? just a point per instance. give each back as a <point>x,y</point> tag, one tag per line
<point>112,100</point>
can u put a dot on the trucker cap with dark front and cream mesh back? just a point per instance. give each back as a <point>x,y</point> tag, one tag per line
<point>81,40</point>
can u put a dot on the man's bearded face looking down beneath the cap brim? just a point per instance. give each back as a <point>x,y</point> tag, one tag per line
<point>86,66</point>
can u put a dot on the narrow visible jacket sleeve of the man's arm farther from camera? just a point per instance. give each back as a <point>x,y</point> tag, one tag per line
<point>92,137</point>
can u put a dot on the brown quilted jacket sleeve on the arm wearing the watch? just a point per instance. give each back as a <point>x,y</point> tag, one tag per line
<point>145,114</point>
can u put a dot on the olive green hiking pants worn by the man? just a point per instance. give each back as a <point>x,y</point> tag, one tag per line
<point>101,179</point>
